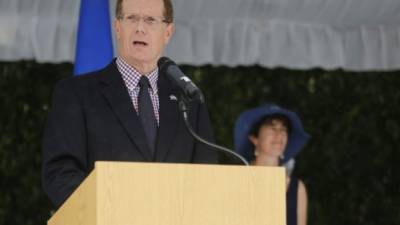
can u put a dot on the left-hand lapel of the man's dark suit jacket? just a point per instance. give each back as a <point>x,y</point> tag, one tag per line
<point>114,90</point>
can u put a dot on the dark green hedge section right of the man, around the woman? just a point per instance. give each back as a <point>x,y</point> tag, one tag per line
<point>349,164</point>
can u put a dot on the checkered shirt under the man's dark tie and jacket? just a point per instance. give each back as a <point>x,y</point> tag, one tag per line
<point>131,78</point>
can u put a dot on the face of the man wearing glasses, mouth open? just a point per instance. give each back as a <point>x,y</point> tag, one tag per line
<point>141,33</point>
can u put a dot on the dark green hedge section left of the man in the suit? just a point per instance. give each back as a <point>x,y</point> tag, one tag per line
<point>24,100</point>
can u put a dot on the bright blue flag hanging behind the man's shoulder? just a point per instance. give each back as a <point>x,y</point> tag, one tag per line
<point>94,48</point>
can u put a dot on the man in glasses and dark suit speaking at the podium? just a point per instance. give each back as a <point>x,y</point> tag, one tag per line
<point>127,111</point>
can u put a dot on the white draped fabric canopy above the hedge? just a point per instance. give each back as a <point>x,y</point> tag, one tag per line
<point>349,34</point>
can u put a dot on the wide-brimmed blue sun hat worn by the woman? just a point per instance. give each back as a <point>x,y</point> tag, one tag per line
<point>297,137</point>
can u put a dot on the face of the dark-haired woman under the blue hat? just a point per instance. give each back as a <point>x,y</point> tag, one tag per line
<point>272,139</point>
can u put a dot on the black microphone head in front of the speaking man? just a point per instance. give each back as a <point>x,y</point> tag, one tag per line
<point>174,74</point>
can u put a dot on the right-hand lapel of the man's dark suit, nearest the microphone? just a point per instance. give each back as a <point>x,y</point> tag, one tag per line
<point>169,114</point>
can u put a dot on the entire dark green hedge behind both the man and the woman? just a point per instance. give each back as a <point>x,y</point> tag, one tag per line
<point>348,166</point>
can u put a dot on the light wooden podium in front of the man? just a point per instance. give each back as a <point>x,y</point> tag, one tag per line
<point>121,193</point>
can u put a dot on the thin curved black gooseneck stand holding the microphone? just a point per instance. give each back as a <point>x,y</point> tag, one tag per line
<point>184,109</point>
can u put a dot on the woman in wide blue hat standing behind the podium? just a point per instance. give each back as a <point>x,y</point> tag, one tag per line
<point>271,136</point>
